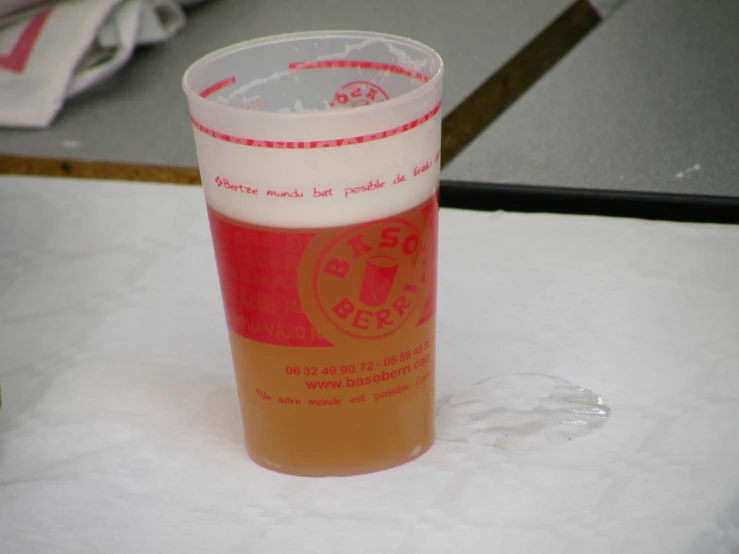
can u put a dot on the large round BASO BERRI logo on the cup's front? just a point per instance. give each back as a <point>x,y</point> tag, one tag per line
<point>368,281</point>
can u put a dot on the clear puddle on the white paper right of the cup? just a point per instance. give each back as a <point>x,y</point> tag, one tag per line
<point>520,412</point>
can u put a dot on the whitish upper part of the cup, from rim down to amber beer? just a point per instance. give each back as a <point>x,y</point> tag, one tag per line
<point>318,167</point>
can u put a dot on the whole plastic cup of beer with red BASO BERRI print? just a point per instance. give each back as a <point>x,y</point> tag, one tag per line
<point>319,156</point>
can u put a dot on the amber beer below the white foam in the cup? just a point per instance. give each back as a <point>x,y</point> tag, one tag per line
<point>332,336</point>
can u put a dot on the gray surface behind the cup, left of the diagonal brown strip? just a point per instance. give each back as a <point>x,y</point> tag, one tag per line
<point>141,115</point>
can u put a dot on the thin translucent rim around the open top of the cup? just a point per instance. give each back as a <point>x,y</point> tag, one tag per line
<point>369,109</point>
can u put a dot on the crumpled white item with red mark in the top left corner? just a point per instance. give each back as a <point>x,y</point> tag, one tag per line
<point>51,51</point>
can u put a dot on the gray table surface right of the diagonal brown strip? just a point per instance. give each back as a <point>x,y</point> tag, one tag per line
<point>648,102</point>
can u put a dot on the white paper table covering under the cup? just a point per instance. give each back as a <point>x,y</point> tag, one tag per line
<point>120,432</point>
